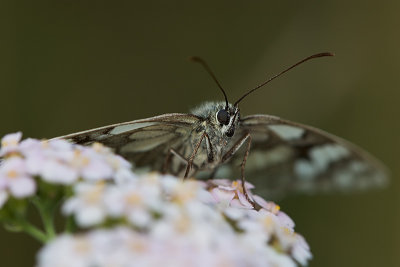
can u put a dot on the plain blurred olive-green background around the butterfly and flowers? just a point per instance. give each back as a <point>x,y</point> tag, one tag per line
<point>73,65</point>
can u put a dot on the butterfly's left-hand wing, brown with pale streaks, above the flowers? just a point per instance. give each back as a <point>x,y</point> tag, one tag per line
<point>144,142</point>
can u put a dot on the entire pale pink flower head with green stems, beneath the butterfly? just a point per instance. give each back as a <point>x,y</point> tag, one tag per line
<point>118,218</point>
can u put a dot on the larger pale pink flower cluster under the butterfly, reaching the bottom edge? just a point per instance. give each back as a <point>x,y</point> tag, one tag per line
<point>169,222</point>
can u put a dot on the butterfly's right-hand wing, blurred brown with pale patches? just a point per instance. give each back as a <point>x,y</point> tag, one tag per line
<point>290,157</point>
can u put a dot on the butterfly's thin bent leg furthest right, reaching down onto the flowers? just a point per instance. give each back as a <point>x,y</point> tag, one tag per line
<point>231,152</point>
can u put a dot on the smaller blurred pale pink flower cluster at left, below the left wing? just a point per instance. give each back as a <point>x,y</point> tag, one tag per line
<point>53,161</point>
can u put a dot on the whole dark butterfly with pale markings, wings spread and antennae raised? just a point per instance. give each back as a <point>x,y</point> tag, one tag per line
<point>216,141</point>
